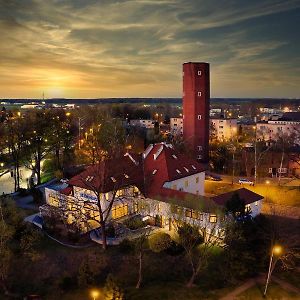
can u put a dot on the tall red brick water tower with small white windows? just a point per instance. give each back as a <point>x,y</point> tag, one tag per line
<point>196,95</point>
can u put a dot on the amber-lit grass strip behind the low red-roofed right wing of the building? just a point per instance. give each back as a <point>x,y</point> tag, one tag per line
<point>284,195</point>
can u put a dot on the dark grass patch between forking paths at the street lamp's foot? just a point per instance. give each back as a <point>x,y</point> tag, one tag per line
<point>274,292</point>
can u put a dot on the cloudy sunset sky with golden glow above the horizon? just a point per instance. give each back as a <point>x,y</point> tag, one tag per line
<point>94,49</point>
